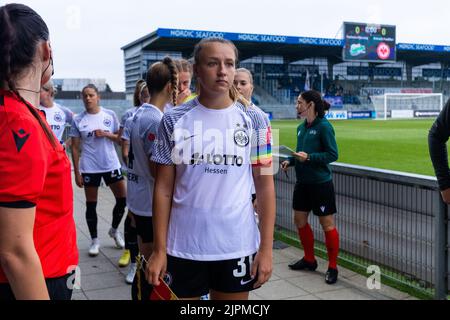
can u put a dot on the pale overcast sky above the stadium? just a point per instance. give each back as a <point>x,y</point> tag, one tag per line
<point>87,35</point>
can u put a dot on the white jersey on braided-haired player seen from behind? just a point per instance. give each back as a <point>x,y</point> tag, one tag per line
<point>142,129</point>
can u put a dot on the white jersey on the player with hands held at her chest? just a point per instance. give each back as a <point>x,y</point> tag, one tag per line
<point>97,154</point>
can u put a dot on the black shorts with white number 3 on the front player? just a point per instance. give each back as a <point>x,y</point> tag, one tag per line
<point>190,279</point>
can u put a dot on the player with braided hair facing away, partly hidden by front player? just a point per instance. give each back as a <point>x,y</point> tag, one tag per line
<point>142,129</point>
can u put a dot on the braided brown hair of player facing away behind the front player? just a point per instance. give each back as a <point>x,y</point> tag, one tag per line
<point>161,73</point>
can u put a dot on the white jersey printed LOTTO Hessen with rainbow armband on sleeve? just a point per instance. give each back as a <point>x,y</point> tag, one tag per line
<point>212,215</point>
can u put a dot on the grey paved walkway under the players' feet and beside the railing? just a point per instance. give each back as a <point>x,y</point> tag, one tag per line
<point>102,279</point>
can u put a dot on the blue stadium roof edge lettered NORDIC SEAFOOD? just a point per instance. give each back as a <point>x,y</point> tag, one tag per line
<point>291,48</point>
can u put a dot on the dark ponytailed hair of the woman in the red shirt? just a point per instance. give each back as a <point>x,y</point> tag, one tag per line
<point>21,30</point>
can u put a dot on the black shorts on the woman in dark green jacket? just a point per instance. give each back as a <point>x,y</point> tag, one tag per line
<point>320,198</point>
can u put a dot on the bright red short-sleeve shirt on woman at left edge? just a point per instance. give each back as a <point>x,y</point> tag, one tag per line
<point>36,174</point>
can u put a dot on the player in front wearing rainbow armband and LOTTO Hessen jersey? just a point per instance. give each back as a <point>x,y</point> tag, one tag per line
<point>209,152</point>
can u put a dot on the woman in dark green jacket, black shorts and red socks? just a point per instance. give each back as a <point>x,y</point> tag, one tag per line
<point>314,190</point>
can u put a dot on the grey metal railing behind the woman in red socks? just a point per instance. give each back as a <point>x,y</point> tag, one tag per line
<point>393,220</point>
